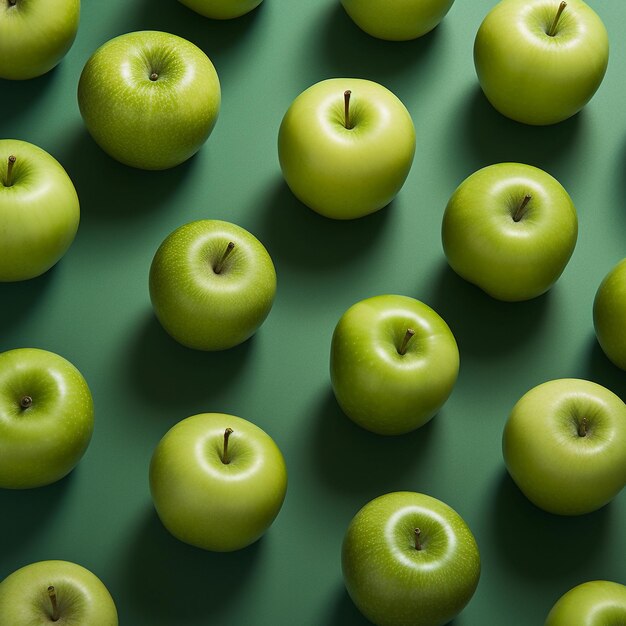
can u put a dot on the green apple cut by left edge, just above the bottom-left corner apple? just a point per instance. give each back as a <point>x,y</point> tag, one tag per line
<point>46,418</point>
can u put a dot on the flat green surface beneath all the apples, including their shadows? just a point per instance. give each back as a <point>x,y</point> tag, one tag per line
<point>94,309</point>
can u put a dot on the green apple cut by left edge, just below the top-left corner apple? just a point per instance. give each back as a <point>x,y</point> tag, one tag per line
<point>39,210</point>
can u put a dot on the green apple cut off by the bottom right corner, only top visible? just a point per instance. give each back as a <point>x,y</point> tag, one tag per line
<point>594,603</point>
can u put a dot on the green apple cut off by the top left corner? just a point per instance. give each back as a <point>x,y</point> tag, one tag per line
<point>35,35</point>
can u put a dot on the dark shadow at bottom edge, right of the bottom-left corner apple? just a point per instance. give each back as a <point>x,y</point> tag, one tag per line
<point>169,582</point>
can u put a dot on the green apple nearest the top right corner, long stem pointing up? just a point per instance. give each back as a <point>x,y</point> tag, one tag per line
<point>540,61</point>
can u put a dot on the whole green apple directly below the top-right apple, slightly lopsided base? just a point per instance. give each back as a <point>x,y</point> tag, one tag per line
<point>510,228</point>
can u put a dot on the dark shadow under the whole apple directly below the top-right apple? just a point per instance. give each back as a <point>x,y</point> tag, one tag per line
<point>481,324</point>
